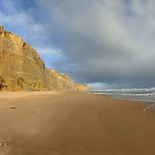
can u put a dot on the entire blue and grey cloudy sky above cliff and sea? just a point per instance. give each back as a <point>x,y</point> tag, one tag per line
<point>102,43</point>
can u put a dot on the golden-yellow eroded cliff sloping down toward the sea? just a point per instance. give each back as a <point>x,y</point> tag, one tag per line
<point>21,68</point>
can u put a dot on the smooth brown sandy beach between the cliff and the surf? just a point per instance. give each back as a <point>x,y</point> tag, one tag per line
<point>72,123</point>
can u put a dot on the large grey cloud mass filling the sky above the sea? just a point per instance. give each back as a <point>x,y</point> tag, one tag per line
<point>110,41</point>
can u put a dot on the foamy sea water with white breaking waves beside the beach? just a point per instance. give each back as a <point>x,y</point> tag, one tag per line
<point>146,95</point>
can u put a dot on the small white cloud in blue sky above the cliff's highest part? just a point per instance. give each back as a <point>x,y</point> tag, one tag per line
<point>19,18</point>
